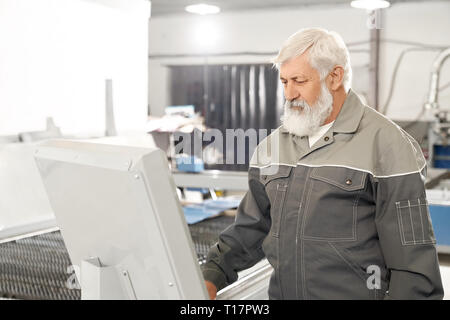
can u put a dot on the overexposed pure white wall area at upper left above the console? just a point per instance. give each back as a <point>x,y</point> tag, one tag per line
<point>55,56</point>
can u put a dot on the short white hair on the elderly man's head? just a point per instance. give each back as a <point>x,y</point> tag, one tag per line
<point>326,50</point>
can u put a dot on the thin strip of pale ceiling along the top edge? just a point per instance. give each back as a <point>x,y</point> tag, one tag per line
<point>164,7</point>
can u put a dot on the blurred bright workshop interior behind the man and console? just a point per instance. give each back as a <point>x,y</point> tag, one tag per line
<point>150,74</point>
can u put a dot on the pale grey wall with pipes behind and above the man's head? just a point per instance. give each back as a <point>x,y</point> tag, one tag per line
<point>264,31</point>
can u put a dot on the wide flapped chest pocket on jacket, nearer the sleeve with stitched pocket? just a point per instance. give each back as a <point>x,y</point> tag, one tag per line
<point>332,202</point>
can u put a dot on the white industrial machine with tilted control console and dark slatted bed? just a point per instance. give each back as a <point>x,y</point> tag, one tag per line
<point>121,232</point>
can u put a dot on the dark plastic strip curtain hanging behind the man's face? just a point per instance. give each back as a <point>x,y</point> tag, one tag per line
<point>240,96</point>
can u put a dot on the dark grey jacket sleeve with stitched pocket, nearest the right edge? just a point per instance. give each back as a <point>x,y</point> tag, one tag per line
<point>406,237</point>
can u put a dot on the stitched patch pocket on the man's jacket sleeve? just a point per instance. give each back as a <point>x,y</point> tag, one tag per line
<point>414,222</point>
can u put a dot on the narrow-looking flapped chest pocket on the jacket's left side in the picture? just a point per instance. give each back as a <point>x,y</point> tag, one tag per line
<point>276,188</point>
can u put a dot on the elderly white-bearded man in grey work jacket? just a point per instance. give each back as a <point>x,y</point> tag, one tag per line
<point>336,194</point>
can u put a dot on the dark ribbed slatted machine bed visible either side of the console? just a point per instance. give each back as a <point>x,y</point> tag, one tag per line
<point>37,267</point>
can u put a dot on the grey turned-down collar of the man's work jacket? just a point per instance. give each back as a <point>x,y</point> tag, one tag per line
<point>349,116</point>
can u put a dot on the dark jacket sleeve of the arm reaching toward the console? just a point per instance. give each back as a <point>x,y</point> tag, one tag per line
<point>239,246</point>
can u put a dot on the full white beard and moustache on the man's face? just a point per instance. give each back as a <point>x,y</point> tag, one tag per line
<point>307,121</point>
